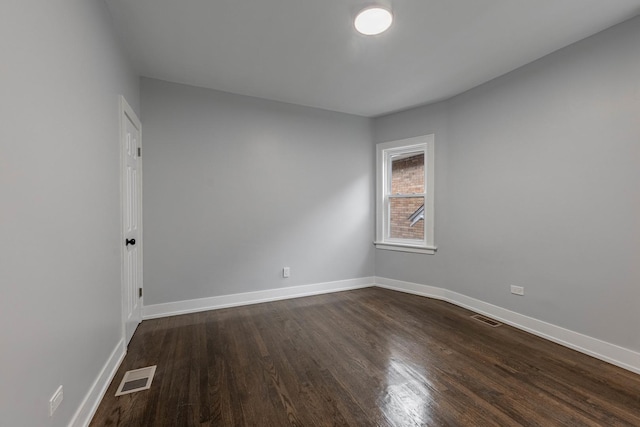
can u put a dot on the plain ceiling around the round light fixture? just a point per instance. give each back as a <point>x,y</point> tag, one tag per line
<point>306,51</point>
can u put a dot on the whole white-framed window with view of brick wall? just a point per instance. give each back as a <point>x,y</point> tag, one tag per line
<point>404,195</point>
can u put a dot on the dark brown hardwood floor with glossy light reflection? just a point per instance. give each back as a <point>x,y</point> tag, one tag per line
<point>369,357</point>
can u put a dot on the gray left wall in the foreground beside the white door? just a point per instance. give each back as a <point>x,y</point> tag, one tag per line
<point>60,309</point>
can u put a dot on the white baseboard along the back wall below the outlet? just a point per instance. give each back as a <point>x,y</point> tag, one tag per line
<point>247,298</point>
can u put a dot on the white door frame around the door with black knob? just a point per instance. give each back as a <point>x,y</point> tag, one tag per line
<point>126,112</point>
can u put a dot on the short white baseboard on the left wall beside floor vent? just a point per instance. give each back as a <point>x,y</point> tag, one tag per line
<point>89,405</point>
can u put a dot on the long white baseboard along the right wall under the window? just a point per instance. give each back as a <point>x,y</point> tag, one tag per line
<point>611,353</point>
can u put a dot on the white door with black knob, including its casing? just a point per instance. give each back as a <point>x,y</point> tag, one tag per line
<point>131,219</point>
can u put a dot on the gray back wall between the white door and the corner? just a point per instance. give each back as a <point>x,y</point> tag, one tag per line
<point>235,188</point>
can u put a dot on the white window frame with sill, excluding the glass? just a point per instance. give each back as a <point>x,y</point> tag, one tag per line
<point>384,152</point>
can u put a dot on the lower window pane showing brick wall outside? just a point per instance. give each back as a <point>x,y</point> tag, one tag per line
<point>406,218</point>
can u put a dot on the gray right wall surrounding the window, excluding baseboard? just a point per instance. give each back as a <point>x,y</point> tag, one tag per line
<point>538,185</point>
